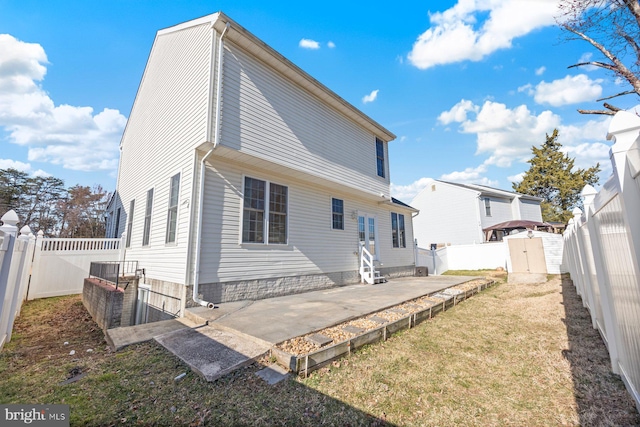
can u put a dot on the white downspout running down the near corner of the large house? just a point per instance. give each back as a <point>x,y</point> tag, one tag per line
<point>216,141</point>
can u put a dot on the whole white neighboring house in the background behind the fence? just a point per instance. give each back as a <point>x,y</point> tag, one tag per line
<point>456,214</point>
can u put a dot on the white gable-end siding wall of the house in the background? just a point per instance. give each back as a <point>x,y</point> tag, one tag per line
<point>447,215</point>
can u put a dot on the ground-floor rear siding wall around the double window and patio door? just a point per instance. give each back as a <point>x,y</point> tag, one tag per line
<point>313,246</point>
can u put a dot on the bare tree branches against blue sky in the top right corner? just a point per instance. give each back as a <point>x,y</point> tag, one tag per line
<point>612,27</point>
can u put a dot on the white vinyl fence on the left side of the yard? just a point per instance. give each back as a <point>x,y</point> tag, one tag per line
<point>40,267</point>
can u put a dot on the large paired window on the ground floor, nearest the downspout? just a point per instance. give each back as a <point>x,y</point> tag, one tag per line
<point>265,208</point>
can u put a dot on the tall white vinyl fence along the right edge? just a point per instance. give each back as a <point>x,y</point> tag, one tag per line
<point>601,252</point>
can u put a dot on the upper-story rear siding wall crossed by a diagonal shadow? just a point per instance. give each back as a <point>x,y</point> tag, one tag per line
<point>266,116</point>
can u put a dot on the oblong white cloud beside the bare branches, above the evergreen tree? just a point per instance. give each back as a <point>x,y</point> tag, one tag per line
<point>569,90</point>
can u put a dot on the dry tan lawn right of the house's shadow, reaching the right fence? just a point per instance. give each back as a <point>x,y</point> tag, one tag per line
<point>508,356</point>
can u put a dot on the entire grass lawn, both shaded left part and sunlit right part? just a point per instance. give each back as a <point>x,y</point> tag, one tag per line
<point>522,355</point>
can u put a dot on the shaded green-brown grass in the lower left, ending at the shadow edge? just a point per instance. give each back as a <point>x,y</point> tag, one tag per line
<point>136,386</point>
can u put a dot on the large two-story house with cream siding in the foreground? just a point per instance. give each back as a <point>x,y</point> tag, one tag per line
<point>241,173</point>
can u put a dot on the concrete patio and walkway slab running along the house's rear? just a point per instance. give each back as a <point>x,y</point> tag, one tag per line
<point>214,342</point>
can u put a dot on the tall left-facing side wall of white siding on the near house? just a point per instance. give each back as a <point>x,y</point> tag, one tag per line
<point>167,121</point>
